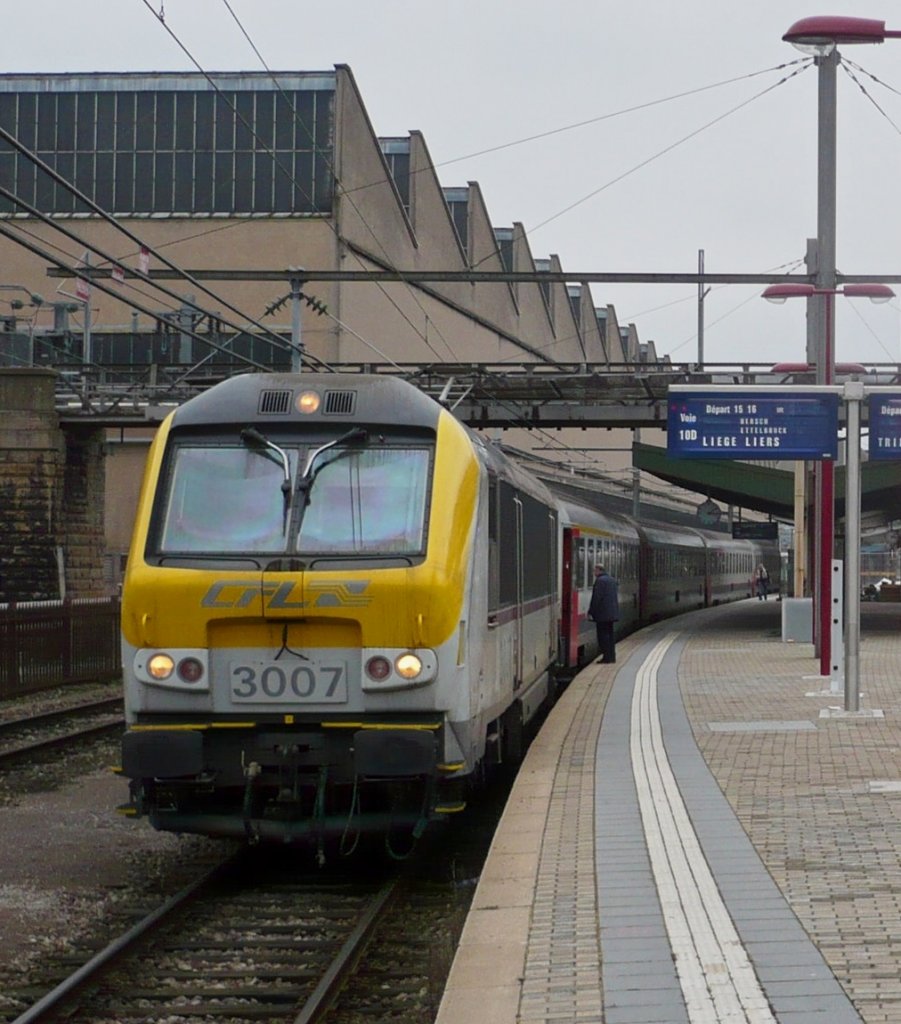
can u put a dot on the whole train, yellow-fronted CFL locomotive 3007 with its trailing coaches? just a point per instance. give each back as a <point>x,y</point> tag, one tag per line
<point>341,607</point>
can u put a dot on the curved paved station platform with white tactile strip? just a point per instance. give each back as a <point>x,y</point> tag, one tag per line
<point>700,834</point>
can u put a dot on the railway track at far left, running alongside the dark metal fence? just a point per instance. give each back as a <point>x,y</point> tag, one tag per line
<point>31,736</point>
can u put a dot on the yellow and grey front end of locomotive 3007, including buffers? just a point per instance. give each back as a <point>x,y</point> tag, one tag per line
<point>294,611</point>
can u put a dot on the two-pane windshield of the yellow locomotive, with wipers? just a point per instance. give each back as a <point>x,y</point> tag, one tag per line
<point>230,501</point>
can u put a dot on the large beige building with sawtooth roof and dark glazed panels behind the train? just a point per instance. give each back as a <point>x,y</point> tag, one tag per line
<point>242,173</point>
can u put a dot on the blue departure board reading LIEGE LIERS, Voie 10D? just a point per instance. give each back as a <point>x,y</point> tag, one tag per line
<point>738,424</point>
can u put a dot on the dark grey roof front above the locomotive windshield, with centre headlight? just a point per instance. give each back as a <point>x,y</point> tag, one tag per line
<point>364,399</point>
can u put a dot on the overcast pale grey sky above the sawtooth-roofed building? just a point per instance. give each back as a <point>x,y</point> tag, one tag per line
<point>690,139</point>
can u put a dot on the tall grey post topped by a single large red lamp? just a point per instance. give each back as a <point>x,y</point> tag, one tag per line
<point>822,36</point>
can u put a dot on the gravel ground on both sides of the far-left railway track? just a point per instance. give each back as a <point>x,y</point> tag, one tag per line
<point>67,860</point>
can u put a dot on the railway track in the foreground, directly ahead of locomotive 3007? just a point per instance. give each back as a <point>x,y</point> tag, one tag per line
<point>245,944</point>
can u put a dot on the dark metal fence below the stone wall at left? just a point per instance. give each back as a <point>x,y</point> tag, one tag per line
<point>50,644</point>
